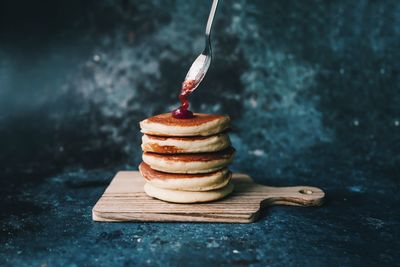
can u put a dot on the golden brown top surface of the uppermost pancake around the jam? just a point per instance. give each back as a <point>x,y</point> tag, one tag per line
<point>198,119</point>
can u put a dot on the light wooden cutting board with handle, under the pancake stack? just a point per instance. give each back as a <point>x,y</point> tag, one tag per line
<point>124,200</point>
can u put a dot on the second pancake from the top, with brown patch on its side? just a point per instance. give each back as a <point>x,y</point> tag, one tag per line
<point>173,145</point>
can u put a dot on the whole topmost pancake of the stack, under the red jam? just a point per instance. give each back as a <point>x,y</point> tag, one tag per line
<point>199,125</point>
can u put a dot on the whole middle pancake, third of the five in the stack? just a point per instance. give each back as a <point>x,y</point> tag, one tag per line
<point>189,163</point>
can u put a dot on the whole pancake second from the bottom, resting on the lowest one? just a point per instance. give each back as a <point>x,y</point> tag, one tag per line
<point>186,182</point>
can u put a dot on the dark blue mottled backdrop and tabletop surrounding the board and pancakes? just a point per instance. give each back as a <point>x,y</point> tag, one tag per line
<point>312,87</point>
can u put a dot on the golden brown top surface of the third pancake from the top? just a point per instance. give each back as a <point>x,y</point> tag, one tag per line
<point>187,157</point>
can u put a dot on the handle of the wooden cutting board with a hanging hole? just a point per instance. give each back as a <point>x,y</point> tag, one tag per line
<point>294,196</point>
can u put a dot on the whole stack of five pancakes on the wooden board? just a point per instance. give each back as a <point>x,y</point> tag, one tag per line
<point>185,160</point>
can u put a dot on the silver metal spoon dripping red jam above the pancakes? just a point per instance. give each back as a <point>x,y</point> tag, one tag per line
<point>200,66</point>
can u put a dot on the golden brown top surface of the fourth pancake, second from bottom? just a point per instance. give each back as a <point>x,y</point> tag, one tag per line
<point>150,174</point>
